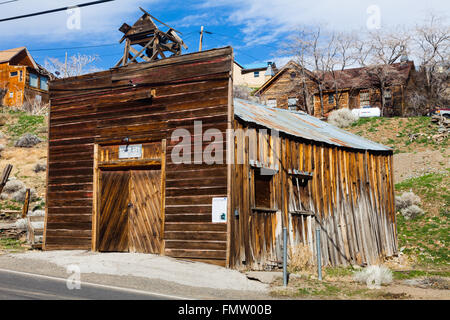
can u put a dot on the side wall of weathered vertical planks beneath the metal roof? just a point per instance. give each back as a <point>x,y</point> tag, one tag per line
<point>351,195</point>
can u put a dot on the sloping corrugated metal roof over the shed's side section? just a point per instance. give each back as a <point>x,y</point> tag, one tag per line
<point>301,125</point>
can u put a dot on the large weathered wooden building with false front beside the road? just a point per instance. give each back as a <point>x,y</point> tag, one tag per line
<point>115,183</point>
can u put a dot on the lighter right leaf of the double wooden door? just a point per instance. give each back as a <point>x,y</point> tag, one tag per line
<point>145,222</point>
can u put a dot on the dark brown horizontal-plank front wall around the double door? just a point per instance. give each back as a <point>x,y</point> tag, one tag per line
<point>144,102</point>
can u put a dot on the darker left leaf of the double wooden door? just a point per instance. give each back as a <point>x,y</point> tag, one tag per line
<point>113,222</point>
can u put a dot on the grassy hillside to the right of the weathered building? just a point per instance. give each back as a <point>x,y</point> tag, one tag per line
<point>422,166</point>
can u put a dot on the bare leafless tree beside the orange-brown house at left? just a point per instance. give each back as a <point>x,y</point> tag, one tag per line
<point>77,65</point>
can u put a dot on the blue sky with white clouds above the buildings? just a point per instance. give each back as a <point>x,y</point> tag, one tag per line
<point>255,28</point>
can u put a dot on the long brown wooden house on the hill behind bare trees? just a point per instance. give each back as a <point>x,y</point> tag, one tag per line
<point>353,88</point>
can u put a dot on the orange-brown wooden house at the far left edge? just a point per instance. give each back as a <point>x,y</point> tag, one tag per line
<point>21,78</point>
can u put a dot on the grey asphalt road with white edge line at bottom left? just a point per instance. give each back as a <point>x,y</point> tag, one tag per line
<point>25,286</point>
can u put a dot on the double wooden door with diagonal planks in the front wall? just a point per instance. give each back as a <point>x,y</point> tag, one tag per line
<point>130,211</point>
